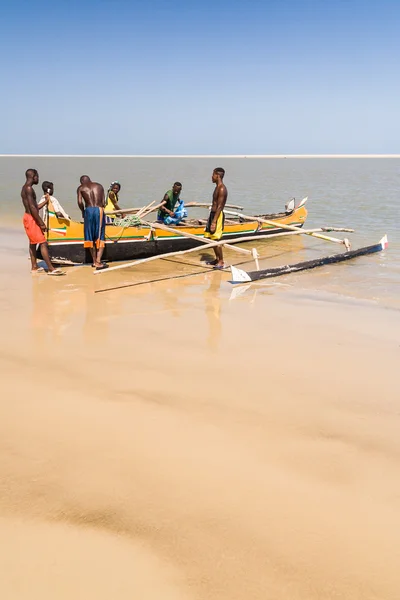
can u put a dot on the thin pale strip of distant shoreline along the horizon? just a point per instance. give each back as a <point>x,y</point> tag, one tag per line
<point>282,156</point>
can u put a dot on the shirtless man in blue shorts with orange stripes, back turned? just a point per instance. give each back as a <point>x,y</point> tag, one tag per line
<point>91,203</point>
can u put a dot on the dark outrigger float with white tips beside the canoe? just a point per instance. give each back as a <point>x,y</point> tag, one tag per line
<point>240,276</point>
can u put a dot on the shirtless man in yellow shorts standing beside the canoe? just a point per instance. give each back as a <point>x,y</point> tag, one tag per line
<point>215,225</point>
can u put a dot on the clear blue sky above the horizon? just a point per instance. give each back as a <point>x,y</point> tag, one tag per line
<point>211,77</point>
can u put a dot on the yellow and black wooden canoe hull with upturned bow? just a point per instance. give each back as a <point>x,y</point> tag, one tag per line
<point>65,238</point>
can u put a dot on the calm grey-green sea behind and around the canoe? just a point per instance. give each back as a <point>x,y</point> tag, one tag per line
<point>362,193</point>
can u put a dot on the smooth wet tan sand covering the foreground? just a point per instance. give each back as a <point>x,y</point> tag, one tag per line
<point>169,441</point>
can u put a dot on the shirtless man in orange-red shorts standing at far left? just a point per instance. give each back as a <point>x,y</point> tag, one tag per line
<point>34,225</point>
